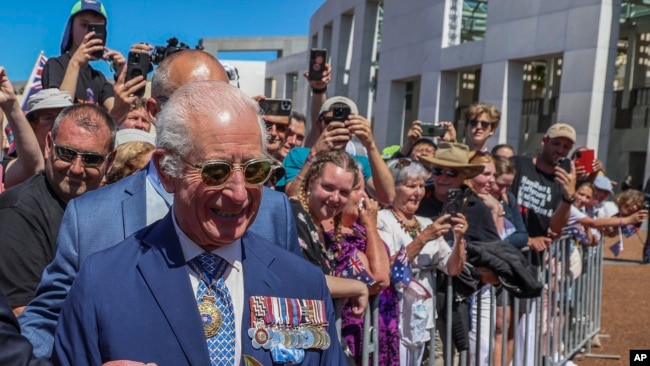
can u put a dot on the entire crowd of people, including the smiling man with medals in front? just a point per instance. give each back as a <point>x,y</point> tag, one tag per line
<point>193,227</point>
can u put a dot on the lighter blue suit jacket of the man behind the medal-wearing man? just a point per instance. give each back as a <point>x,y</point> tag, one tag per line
<point>102,218</point>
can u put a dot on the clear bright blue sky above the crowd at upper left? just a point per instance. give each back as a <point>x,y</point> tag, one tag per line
<point>27,27</point>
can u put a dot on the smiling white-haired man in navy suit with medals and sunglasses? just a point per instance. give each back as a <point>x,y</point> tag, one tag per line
<point>155,297</point>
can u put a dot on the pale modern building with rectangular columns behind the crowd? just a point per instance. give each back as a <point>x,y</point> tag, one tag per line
<point>584,62</point>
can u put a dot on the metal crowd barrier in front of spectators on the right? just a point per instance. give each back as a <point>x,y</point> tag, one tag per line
<point>548,330</point>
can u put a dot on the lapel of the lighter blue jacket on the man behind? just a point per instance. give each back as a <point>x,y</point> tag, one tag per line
<point>134,207</point>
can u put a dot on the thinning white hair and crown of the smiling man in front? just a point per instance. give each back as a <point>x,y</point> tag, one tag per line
<point>199,99</point>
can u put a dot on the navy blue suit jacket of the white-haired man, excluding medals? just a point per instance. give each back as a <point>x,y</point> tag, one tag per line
<point>135,301</point>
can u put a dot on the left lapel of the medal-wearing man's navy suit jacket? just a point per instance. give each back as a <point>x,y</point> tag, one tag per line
<point>171,288</point>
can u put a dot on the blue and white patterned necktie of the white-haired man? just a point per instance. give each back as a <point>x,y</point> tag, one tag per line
<point>221,346</point>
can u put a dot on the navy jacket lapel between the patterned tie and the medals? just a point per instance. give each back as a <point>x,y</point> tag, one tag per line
<point>258,280</point>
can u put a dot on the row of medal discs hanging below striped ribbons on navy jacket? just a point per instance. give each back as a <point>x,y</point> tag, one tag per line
<point>306,336</point>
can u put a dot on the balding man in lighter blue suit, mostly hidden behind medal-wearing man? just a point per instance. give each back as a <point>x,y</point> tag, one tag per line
<point>105,218</point>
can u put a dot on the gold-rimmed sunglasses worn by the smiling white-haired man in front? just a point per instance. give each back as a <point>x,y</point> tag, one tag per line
<point>217,173</point>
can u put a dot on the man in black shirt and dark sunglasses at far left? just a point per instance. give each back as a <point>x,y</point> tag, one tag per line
<point>78,153</point>
